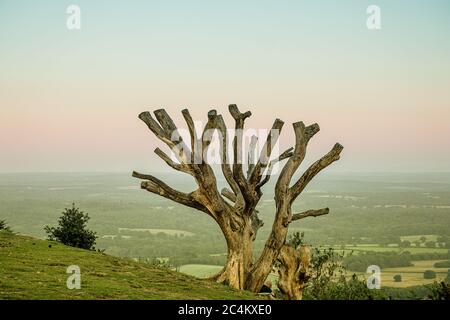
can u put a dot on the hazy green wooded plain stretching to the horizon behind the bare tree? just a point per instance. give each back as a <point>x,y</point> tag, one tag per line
<point>365,209</point>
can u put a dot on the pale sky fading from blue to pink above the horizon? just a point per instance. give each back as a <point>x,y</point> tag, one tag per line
<point>69,100</point>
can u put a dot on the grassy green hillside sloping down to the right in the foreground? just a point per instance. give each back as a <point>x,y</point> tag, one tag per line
<point>36,269</point>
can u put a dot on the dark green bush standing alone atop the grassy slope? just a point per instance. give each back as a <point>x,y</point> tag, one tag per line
<point>72,230</point>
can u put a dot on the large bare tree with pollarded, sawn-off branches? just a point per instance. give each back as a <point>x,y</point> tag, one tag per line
<point>234,208</point>
